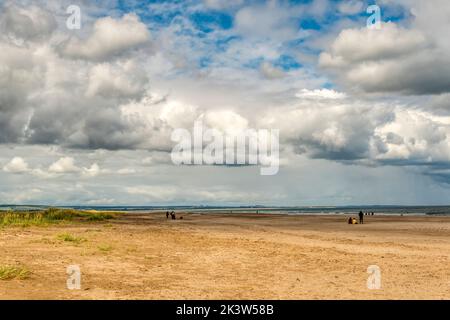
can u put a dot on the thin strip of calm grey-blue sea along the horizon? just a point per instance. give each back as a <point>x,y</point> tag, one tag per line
<point>386,210</point>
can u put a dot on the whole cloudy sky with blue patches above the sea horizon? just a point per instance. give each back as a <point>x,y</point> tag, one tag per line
<point>86,115</point>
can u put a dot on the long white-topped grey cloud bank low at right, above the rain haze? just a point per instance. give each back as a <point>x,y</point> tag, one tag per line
<point>327,125</point>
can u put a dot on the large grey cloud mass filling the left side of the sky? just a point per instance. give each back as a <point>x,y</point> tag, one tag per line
<point>46,98</point>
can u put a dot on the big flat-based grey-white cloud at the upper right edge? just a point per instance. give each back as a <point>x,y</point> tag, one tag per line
<point>392,59</point>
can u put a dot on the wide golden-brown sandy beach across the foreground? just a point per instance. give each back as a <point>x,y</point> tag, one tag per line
<point>231,256</point>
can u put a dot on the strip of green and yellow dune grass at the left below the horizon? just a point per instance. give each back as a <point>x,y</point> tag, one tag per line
<point>48,216</point>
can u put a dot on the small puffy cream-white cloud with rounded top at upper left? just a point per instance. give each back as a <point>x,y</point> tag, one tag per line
<point>110,37</point>
